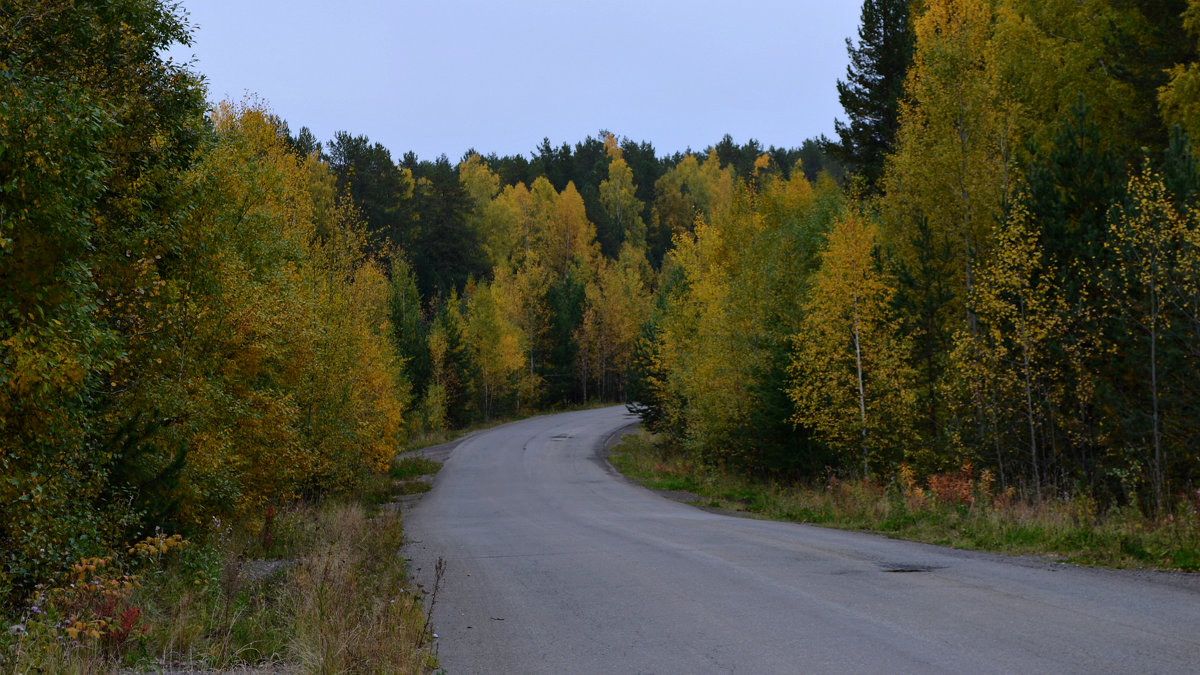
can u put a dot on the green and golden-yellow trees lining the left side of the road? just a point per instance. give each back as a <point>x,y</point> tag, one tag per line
<point>187,330</point>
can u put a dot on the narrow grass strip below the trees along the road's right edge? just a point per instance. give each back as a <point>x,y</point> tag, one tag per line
<point>962,511</point>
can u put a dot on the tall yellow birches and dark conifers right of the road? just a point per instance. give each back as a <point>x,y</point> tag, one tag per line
<point>1007,280</point>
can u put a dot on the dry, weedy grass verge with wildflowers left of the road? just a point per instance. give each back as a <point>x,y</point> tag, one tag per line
<point>313,588</point>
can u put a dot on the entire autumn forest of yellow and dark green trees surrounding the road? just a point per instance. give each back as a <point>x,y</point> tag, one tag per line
<point>995,264</point>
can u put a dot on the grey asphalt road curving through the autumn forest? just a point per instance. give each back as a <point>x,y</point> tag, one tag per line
<point>555,564</point>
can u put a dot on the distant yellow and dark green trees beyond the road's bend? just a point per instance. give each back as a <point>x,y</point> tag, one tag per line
<point>524,283</point>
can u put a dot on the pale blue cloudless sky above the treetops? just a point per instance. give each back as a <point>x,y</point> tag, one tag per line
<point>446,76</point>
